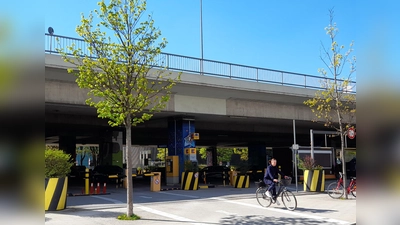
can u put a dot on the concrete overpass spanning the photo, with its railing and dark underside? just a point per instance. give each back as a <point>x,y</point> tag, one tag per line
<point>230,105</point>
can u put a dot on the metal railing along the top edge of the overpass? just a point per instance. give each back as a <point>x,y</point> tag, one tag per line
<point>210,67</point>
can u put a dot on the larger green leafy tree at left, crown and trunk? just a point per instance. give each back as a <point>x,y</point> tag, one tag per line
<point>122,83</point>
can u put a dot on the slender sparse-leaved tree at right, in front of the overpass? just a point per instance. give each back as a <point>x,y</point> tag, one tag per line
<point>335,105</point>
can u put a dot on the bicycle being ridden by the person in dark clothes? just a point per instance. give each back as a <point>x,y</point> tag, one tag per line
<point>287,197</point>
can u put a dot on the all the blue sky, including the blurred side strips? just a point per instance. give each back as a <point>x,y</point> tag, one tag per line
<point>282,35</point>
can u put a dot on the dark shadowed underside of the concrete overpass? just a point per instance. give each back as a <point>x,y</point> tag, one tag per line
<point>214,130</point>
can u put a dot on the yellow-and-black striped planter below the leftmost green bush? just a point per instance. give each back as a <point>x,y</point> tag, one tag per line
<point>55,193</point>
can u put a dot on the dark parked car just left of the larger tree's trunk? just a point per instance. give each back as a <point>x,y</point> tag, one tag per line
<point>102,173</point>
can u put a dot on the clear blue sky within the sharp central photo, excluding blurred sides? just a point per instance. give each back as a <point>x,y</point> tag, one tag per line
<point>281,35</point>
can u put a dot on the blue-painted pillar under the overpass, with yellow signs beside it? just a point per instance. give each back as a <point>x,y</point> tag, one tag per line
<point>180,131</point>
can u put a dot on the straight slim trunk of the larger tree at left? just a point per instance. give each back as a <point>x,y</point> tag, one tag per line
<point>129,190</point>
